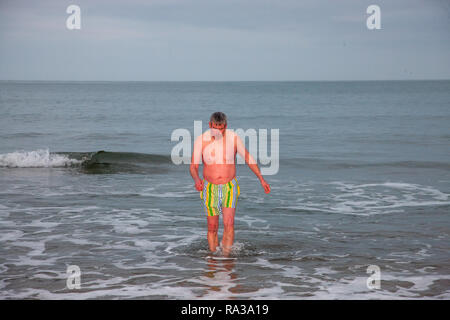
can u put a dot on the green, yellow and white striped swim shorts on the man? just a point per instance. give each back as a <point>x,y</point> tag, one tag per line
<point>216,196</point>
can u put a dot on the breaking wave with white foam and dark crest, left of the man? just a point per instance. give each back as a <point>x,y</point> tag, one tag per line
<point>88,162</point>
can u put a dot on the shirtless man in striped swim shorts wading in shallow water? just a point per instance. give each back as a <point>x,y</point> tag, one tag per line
<point>219,188</point>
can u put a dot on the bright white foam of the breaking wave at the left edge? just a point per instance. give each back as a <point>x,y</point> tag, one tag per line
<point>35,159</point>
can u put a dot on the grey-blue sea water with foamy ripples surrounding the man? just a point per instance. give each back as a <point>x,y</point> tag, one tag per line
<point>87,180</point>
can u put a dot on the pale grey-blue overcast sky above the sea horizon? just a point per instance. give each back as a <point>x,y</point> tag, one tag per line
<point>224,40</point>
